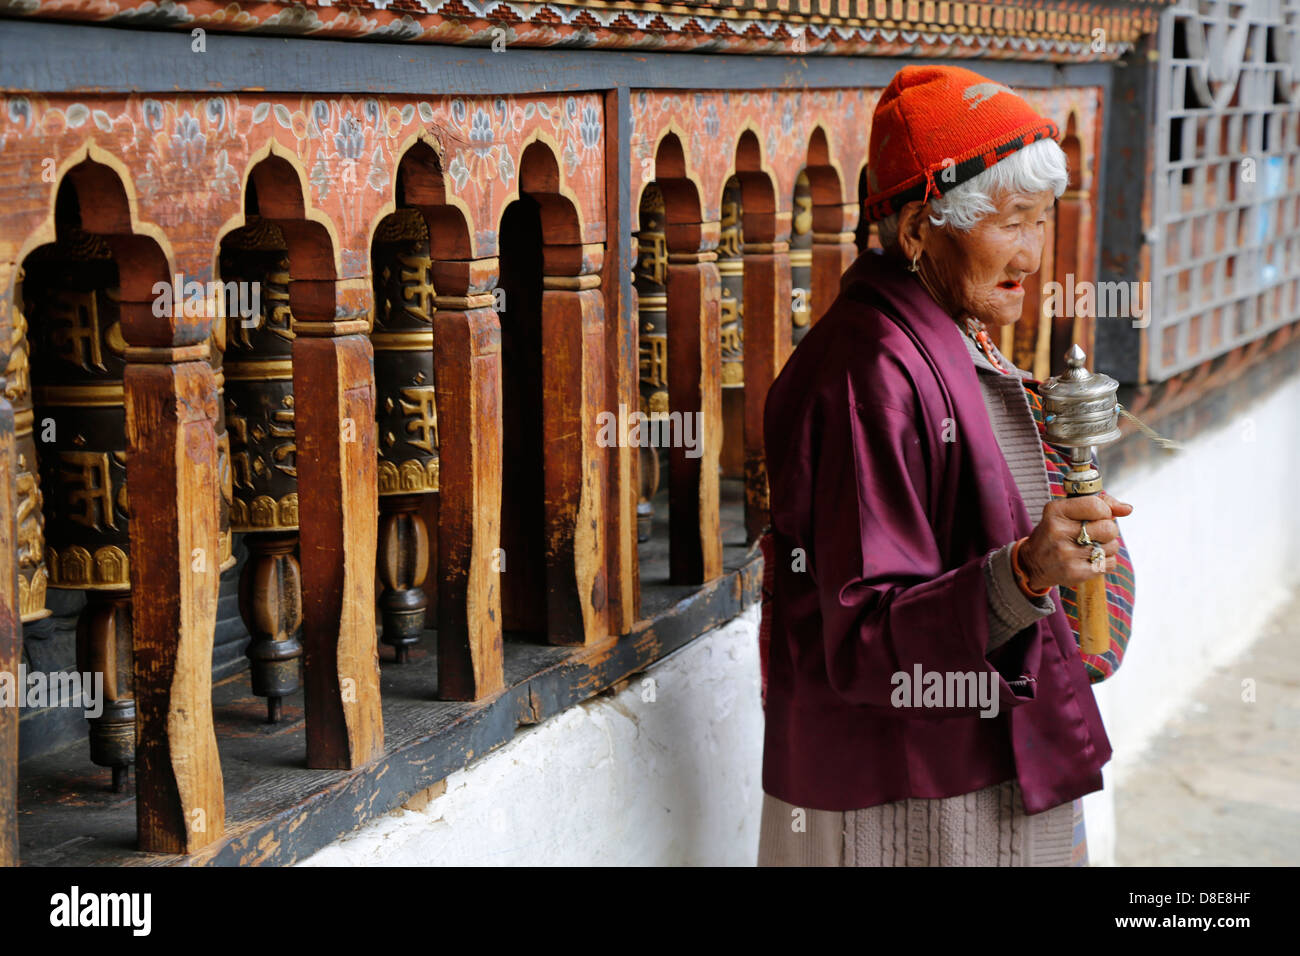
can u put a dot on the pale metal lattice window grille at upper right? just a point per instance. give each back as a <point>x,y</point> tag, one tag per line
<point>1225,253</point>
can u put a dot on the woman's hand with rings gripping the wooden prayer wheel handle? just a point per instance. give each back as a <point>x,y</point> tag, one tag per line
<point>1051,556</point>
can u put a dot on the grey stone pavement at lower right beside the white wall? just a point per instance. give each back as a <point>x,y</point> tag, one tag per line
<point>1221,784</point>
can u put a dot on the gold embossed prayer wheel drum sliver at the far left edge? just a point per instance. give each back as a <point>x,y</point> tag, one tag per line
<point>31,520</point>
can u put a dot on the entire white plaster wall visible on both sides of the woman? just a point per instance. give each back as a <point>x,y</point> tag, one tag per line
<point>678,780</point>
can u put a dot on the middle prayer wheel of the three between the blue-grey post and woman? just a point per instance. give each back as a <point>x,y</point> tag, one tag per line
<point>731,330</point>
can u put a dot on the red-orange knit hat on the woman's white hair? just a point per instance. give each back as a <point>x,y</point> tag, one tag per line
<point>939,127</point>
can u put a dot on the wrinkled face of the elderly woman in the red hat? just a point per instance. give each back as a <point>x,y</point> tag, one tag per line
<point>981,272</point>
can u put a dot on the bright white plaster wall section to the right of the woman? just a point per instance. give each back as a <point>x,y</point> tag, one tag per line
<point>1216,548</point>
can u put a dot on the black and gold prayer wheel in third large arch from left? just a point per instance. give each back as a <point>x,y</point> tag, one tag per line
<point>408,421</point>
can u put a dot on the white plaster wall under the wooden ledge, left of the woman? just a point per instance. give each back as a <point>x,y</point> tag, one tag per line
<point>617,781</point>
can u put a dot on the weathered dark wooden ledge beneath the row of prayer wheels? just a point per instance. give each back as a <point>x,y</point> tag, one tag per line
<point>281,812</point>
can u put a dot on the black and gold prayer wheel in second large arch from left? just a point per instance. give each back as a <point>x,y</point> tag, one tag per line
<point>259,405</point>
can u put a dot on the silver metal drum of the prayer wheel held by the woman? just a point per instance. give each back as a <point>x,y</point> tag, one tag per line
<point>1082,413</point>
